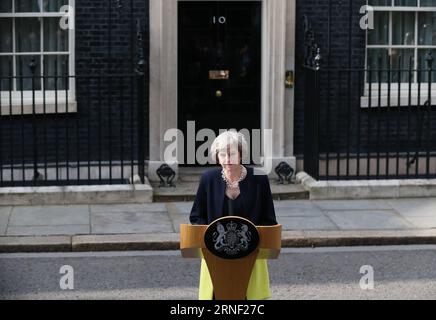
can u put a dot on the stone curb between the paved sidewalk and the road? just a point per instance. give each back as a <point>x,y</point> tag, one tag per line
<point>170,241</point>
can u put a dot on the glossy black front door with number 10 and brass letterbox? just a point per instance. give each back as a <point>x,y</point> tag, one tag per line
<point>219,65</point>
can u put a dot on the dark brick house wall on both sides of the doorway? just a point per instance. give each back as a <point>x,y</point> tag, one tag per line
<point>111,103</point>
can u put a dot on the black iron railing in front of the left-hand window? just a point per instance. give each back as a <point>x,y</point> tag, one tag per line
<point>58,138</point>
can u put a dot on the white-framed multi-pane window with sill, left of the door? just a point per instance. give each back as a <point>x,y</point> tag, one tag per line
<point>31,31</point>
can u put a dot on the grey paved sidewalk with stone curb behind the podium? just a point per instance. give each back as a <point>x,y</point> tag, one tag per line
<point>156,225</point>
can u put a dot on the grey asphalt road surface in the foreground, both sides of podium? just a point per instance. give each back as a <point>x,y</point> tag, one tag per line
<point>403,272</point>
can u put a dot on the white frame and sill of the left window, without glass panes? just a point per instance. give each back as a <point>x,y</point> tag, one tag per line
<point>49,101</point>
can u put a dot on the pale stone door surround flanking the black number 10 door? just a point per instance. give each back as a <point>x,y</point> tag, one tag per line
<point>278,53</point>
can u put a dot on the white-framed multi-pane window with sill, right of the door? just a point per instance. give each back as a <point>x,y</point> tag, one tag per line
<point>404,33</point>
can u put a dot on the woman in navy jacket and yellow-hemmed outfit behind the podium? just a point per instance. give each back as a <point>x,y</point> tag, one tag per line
<point>234,190</point>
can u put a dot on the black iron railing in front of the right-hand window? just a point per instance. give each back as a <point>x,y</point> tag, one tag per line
<point>374,122</point>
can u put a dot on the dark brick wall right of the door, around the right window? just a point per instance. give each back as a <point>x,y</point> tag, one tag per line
<point>344,126</point>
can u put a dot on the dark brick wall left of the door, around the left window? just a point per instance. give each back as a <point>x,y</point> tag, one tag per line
<point>105,125</point>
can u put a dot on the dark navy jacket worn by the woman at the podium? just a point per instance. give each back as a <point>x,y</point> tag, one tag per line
<point>255,192</point>
